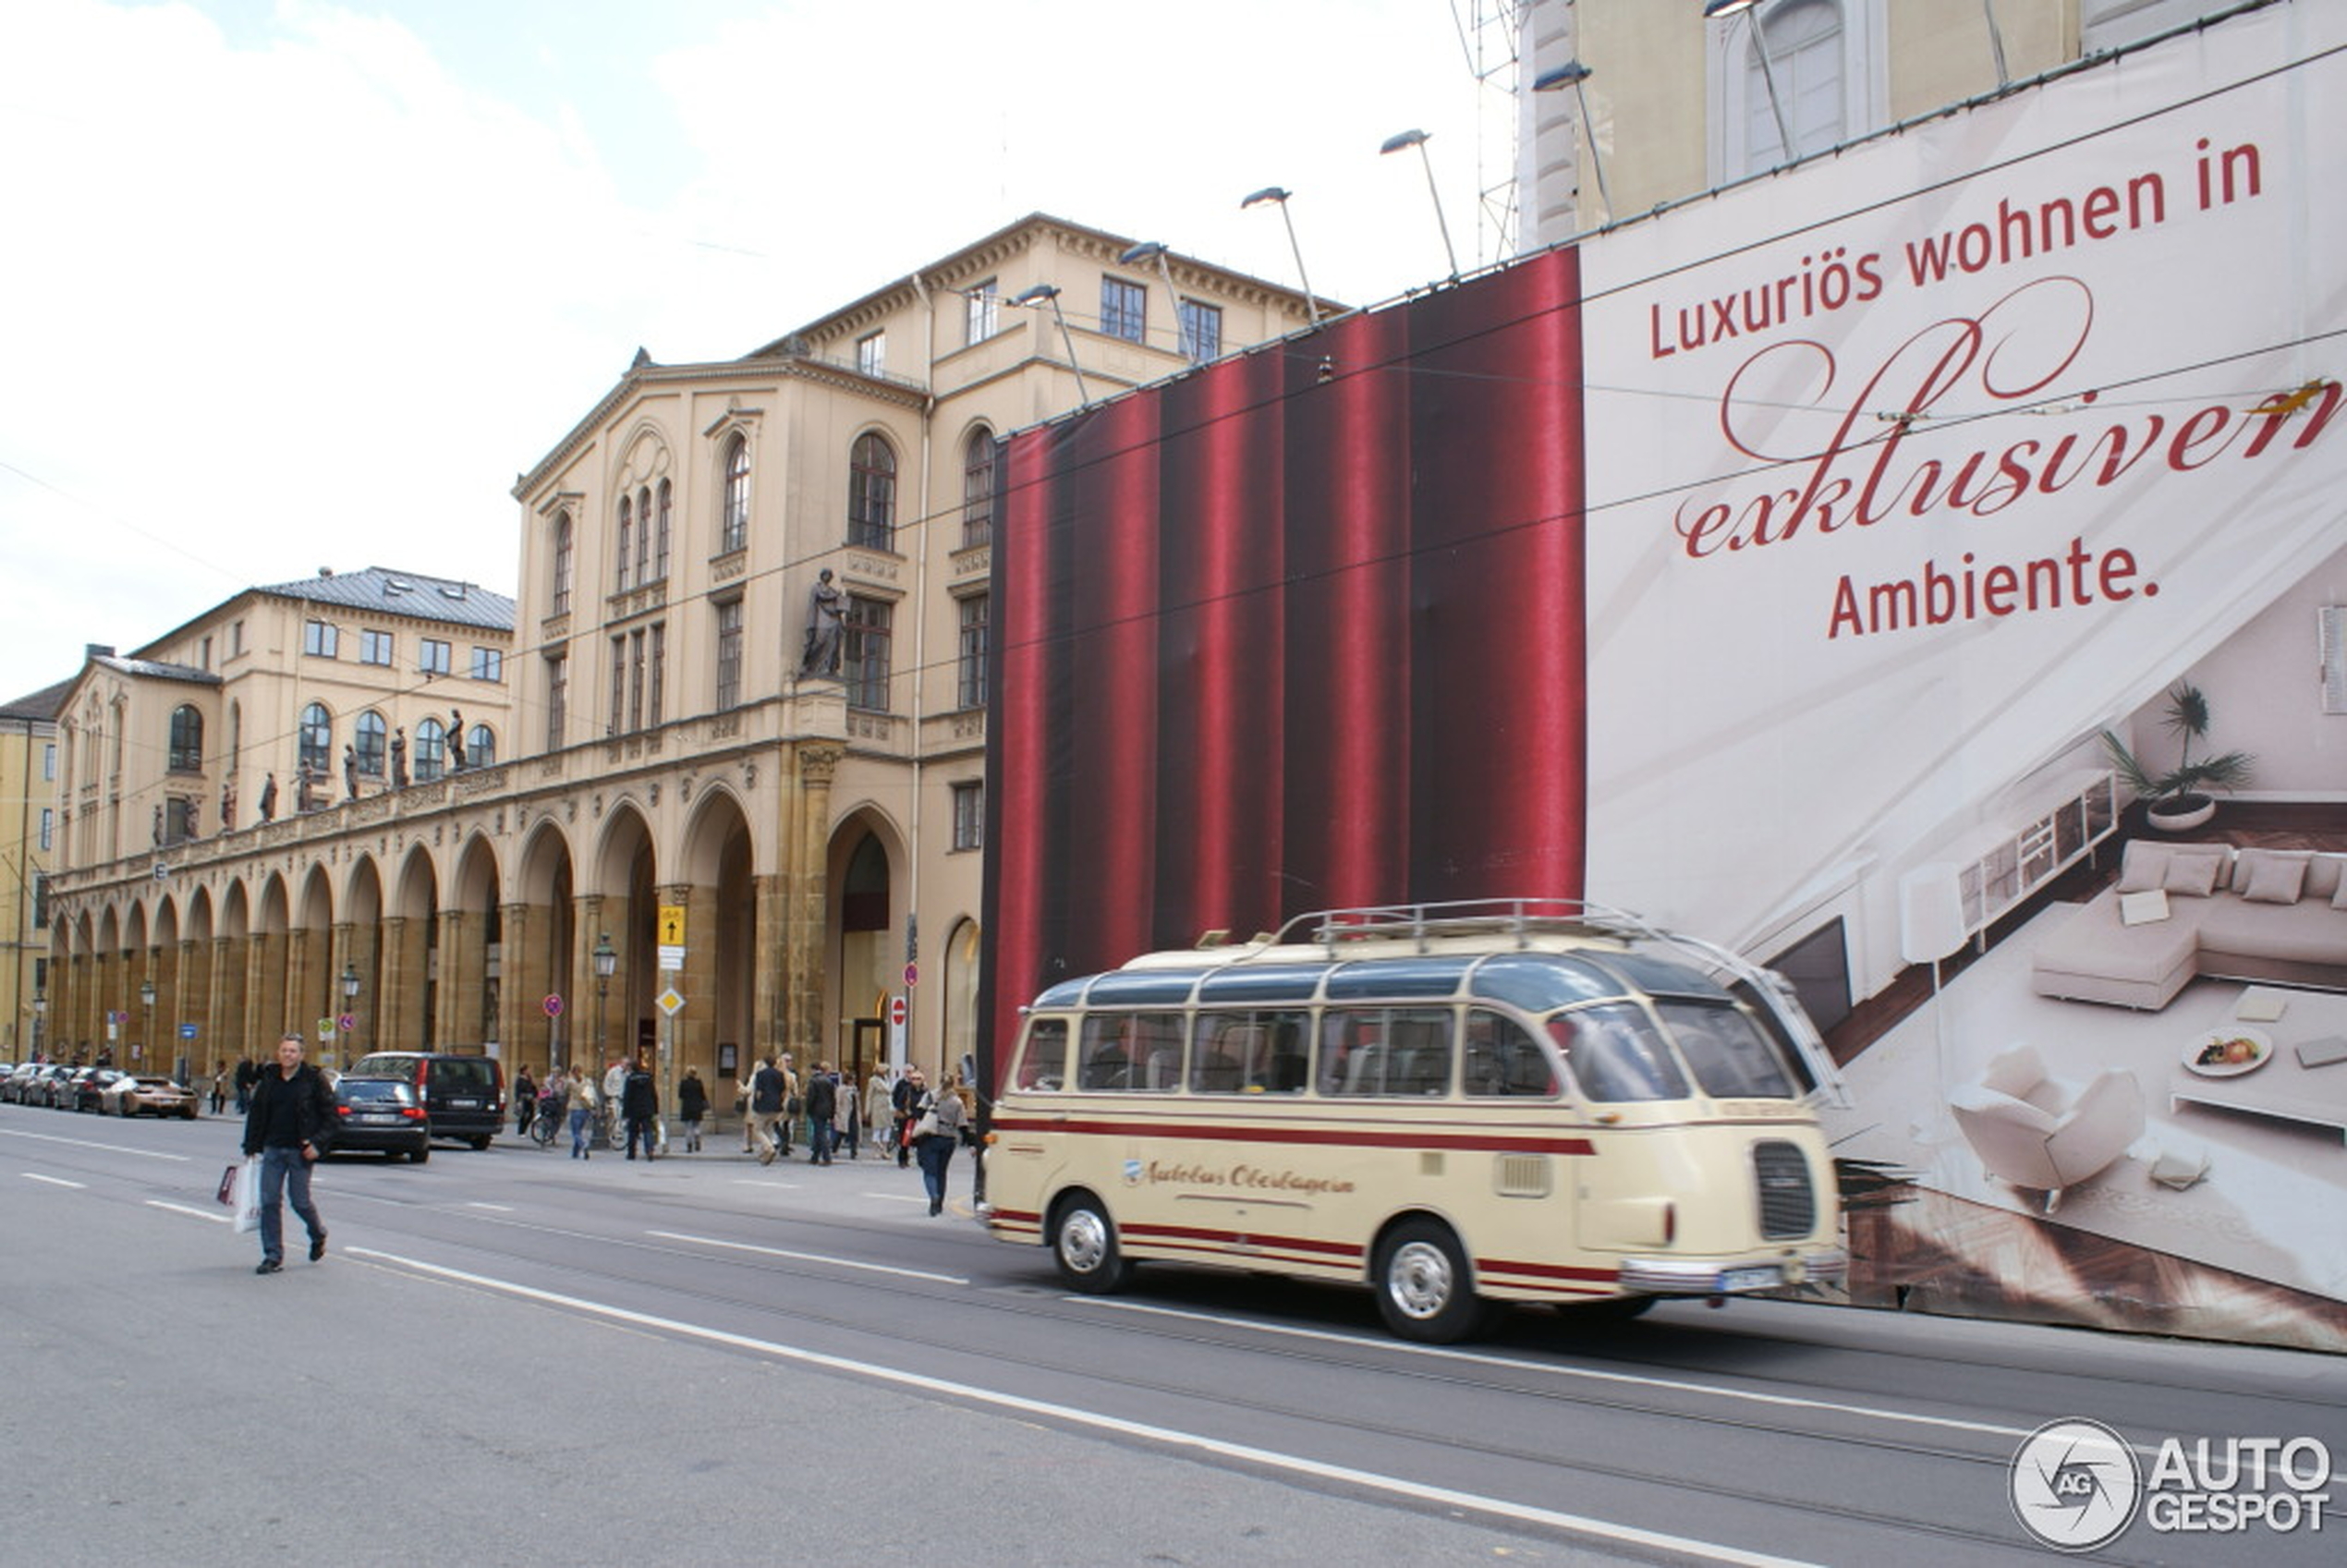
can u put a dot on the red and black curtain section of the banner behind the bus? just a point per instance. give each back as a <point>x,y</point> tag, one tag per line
<point>1301,630</point>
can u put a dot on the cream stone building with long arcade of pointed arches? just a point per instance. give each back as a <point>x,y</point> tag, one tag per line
<point>740,738</point>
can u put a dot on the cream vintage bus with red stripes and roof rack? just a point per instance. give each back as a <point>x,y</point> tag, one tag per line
<point>1459,1104</point>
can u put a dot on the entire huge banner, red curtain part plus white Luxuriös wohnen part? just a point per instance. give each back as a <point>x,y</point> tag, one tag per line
<point>1825,569</point>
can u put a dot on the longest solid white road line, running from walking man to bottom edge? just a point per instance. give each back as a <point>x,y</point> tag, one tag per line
<point>1290,1464</point>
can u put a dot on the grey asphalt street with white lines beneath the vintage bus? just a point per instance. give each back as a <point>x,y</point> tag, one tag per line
<point>513,1356</point>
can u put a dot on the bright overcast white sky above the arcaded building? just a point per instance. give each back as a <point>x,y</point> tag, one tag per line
<point>302,285</point>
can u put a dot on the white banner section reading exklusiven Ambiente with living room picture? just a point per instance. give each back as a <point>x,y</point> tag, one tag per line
<point>1916,473</point>
